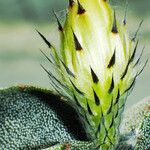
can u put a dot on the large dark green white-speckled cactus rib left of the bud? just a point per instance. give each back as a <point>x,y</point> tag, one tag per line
<point>32,118</point>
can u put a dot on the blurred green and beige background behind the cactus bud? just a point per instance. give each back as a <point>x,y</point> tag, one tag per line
<point>20,57</point>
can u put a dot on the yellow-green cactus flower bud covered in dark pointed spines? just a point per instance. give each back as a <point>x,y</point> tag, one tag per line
<point>95,67</point>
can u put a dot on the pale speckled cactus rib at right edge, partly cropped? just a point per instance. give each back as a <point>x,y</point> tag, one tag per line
<point>136,125</point>
